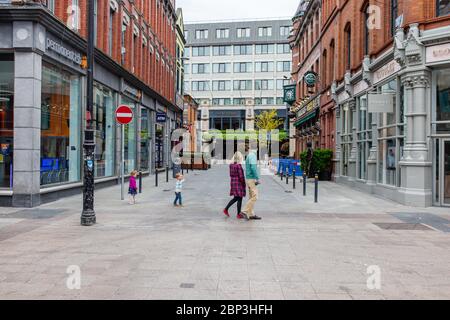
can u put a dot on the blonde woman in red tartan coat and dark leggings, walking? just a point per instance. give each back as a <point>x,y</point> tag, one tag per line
<point>237,183</point>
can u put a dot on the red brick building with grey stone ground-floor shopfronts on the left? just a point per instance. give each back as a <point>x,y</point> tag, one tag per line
<point>42,54</point>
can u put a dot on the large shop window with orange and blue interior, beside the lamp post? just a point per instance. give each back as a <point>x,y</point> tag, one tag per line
<point>60,126</point>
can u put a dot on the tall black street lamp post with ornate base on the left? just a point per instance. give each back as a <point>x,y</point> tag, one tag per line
<point>88,215</point>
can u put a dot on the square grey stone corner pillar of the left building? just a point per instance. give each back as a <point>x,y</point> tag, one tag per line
<point>30,38</point>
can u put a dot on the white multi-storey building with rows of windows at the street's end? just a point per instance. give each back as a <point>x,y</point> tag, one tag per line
<point>235,70</point>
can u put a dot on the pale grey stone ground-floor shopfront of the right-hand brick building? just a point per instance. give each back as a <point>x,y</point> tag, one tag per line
<point>393,121</point>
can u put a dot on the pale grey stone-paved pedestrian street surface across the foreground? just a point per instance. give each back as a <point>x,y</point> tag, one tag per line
<point>151,250</point>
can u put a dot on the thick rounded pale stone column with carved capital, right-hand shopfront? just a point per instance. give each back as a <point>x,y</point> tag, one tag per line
<point>416,167</point>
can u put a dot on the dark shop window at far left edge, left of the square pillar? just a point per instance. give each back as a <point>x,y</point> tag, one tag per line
<point>6,119</point>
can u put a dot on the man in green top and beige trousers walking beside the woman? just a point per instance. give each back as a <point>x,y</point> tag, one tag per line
<point>252,177</point>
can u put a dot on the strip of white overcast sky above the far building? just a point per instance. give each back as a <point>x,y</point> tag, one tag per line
<point>210,10</point>
